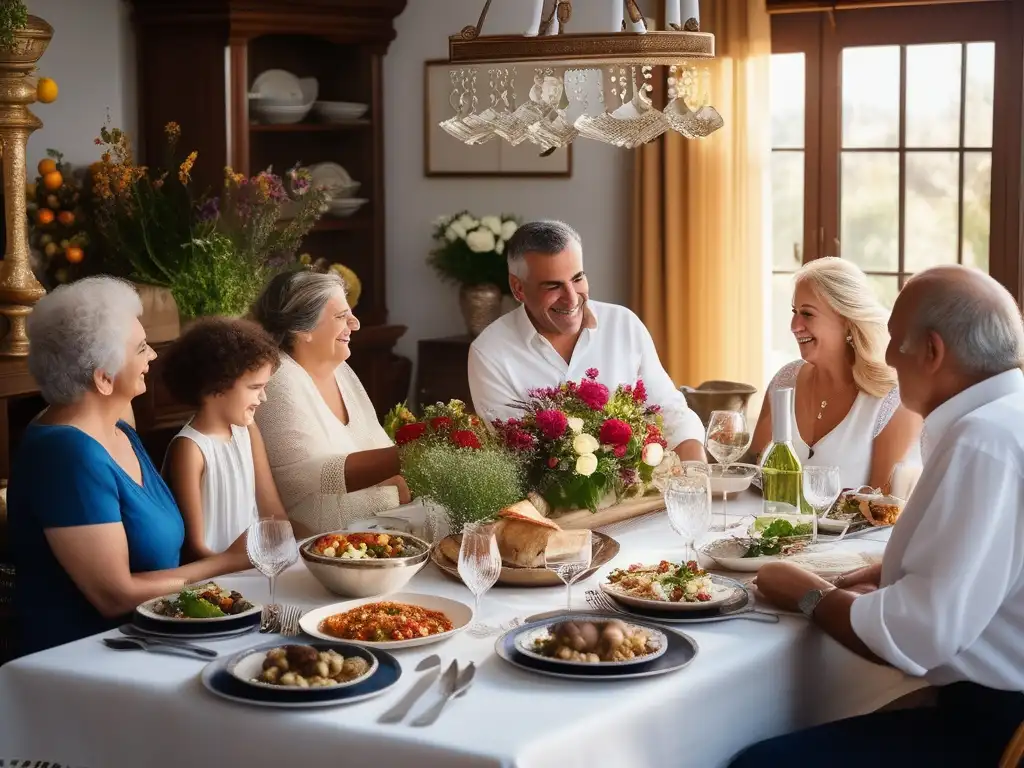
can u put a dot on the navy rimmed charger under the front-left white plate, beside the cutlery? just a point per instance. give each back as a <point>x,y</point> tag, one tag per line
<point>218,679</point>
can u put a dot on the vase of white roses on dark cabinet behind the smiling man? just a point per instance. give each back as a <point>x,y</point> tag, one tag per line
<point>470,252</point>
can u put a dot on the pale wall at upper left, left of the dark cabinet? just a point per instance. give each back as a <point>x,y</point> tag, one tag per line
<point>93,60</point>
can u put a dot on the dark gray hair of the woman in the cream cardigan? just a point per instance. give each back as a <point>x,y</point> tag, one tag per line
<point>293,303</point>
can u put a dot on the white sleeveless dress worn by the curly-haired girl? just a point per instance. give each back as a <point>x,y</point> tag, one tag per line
<point>229,486</point>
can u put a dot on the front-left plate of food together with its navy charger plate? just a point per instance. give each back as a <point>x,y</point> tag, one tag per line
<point>225,677</point>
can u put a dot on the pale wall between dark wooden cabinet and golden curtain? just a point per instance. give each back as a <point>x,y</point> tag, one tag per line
<point>595,200</point>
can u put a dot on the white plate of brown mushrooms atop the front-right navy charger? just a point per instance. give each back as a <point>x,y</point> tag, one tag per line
<point>607,643</point>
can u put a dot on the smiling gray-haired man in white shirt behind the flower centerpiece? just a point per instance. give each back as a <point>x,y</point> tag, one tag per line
<point>558,334</point>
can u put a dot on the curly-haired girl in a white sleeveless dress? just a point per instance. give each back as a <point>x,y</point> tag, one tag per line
<point>217,466</point>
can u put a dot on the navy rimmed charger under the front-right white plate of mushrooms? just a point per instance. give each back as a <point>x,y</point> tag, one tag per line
<point>680,652</point>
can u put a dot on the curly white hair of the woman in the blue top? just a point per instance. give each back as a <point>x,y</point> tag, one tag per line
<point>77,330</point>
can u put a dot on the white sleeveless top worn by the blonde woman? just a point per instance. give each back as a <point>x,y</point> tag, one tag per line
<point>849,445</point>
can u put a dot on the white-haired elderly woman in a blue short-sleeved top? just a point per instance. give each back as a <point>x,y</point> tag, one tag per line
<point>95,530</point>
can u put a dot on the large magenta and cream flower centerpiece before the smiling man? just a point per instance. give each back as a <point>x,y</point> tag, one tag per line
<point>586,445</point>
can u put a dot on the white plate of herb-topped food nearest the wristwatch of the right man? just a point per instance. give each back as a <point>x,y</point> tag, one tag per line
<point>667,587</point>
